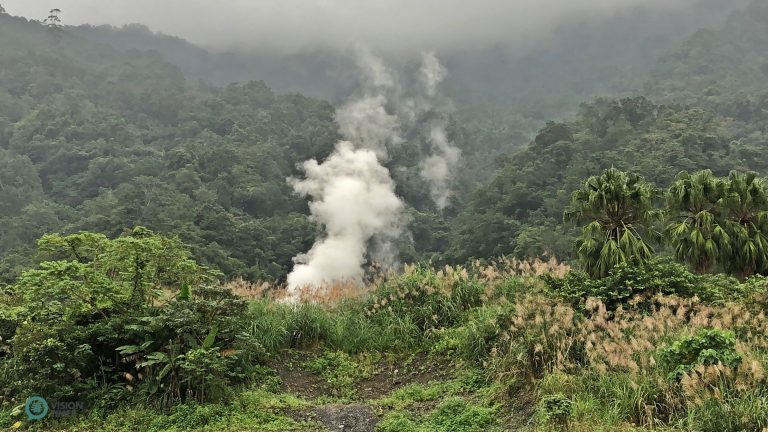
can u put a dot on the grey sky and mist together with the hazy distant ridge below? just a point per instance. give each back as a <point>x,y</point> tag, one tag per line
<point>538,53</point>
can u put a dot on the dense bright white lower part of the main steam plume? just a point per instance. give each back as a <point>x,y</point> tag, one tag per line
<point>353,197</point>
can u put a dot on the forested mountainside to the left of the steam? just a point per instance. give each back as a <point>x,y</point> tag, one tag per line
<point>101,139</point>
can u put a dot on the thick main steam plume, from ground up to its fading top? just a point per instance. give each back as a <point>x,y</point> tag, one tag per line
<point>353,196</point>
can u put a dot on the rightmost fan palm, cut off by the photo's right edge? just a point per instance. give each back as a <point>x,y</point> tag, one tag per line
<point>745,214</point>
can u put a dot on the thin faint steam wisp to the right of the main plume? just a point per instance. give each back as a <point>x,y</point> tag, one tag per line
<point>436,169</point>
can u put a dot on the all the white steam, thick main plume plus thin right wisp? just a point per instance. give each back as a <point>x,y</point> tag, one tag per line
<point>352,195</point>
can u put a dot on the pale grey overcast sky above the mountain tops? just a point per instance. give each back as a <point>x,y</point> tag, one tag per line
<point>385,24</point>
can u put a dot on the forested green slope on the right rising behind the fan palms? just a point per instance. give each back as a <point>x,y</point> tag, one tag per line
<point>708,112</point>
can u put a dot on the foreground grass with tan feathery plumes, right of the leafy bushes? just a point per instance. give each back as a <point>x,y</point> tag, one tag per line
<point>488,348</point>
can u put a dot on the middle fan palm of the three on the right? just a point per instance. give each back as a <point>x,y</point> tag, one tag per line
<point>695,231</point>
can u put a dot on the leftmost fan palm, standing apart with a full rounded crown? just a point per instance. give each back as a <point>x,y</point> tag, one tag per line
<point>618,209</point>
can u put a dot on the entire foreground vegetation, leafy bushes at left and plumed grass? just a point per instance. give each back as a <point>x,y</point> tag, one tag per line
<point>498,347</point>
